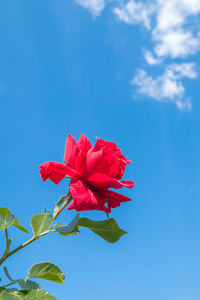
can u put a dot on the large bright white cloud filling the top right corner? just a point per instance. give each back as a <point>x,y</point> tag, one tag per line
<point>169,18</point>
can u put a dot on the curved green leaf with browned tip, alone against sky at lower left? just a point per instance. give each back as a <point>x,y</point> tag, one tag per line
<point>46,270</point>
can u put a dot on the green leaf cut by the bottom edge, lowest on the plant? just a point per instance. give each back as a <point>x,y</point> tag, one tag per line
<point>39,294</point>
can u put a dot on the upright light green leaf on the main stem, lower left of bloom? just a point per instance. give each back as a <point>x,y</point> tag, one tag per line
<point>40,223</point>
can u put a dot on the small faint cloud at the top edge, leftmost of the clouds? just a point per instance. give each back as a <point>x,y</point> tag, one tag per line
<point>94,6</point>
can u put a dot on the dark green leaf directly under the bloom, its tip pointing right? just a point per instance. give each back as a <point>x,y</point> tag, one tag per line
<point>108,229</point>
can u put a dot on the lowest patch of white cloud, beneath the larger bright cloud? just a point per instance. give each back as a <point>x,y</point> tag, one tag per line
<point>168,86</point>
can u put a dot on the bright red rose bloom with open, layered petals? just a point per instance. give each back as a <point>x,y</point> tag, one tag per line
<point>93,170</point>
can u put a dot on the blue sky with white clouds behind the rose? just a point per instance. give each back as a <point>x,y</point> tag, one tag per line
<point>107,69</point>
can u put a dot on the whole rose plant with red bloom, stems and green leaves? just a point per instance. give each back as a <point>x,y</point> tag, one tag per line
<point>93,171</point>
